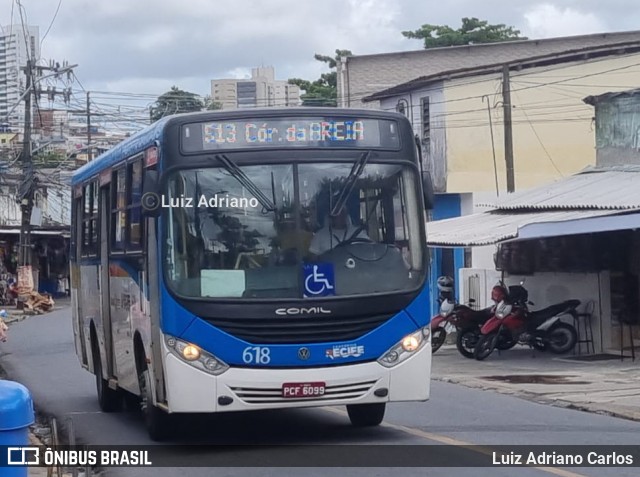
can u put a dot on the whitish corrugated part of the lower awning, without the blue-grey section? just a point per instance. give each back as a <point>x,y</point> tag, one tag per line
<point>495,226</point>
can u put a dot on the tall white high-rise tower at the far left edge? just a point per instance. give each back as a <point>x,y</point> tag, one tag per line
<point>17,44</point>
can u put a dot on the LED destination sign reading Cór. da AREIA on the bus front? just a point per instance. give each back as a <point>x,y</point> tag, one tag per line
<point>277,132</point>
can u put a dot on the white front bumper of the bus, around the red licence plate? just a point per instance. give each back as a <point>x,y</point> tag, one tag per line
<point>242,389</point>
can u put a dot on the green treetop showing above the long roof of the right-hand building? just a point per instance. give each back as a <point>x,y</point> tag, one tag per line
<point>471,32</point>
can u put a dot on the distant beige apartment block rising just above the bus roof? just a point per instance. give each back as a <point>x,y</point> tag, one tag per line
<point>261,90</point>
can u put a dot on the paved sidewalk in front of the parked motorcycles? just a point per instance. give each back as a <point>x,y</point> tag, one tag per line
<point>609,386</point>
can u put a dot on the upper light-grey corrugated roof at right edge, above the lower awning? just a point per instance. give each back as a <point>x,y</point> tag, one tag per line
<point>597,188</point>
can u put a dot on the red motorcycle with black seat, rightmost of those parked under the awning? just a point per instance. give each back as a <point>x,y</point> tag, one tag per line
<point>540,329</point>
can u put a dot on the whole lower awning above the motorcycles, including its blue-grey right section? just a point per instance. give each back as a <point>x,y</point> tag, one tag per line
<point>497,226</point>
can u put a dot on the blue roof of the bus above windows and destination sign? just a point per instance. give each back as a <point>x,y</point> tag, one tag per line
<point>148,136</point>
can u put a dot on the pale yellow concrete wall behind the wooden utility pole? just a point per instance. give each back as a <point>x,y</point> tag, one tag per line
<point>553,130</point>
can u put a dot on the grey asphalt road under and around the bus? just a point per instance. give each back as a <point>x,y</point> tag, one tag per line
<point>40,354</point>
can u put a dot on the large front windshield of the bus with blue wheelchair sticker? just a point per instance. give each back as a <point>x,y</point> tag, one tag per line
<point>299,230</point>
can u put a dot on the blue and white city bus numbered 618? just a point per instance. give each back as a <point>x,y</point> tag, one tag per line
<point>254,259</point>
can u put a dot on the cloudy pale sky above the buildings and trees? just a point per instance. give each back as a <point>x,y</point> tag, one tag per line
<point>146,46</point>
